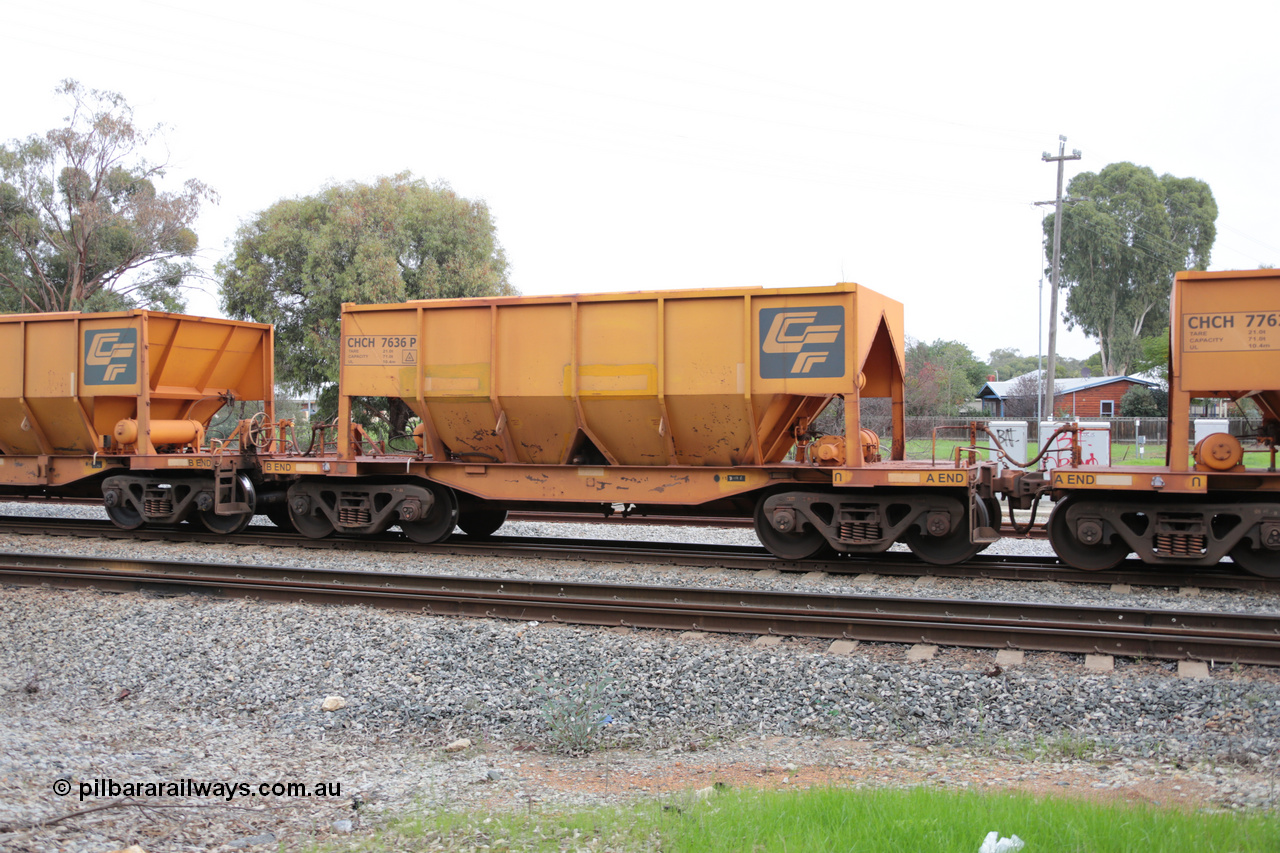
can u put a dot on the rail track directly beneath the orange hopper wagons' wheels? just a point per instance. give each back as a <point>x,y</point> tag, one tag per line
<point>696,555</point>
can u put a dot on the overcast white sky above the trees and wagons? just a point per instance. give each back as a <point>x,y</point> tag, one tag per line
<point>674,145</point>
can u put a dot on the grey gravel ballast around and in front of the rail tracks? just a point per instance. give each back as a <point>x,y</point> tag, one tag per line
<point>138,687</point>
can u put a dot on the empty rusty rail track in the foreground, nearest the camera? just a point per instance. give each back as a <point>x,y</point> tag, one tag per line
<point>1150,633</point>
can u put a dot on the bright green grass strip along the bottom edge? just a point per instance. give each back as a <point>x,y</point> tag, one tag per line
<point>921,819</point>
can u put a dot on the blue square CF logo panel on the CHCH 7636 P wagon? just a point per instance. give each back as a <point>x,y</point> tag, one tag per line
<point>806,343</point>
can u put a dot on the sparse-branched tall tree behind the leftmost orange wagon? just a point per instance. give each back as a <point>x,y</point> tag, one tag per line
<point>83,226</point>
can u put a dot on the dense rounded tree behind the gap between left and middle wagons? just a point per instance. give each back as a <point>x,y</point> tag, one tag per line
<point>399,239</point>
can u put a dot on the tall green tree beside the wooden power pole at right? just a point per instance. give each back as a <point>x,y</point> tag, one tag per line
<point>1126,232</point>
